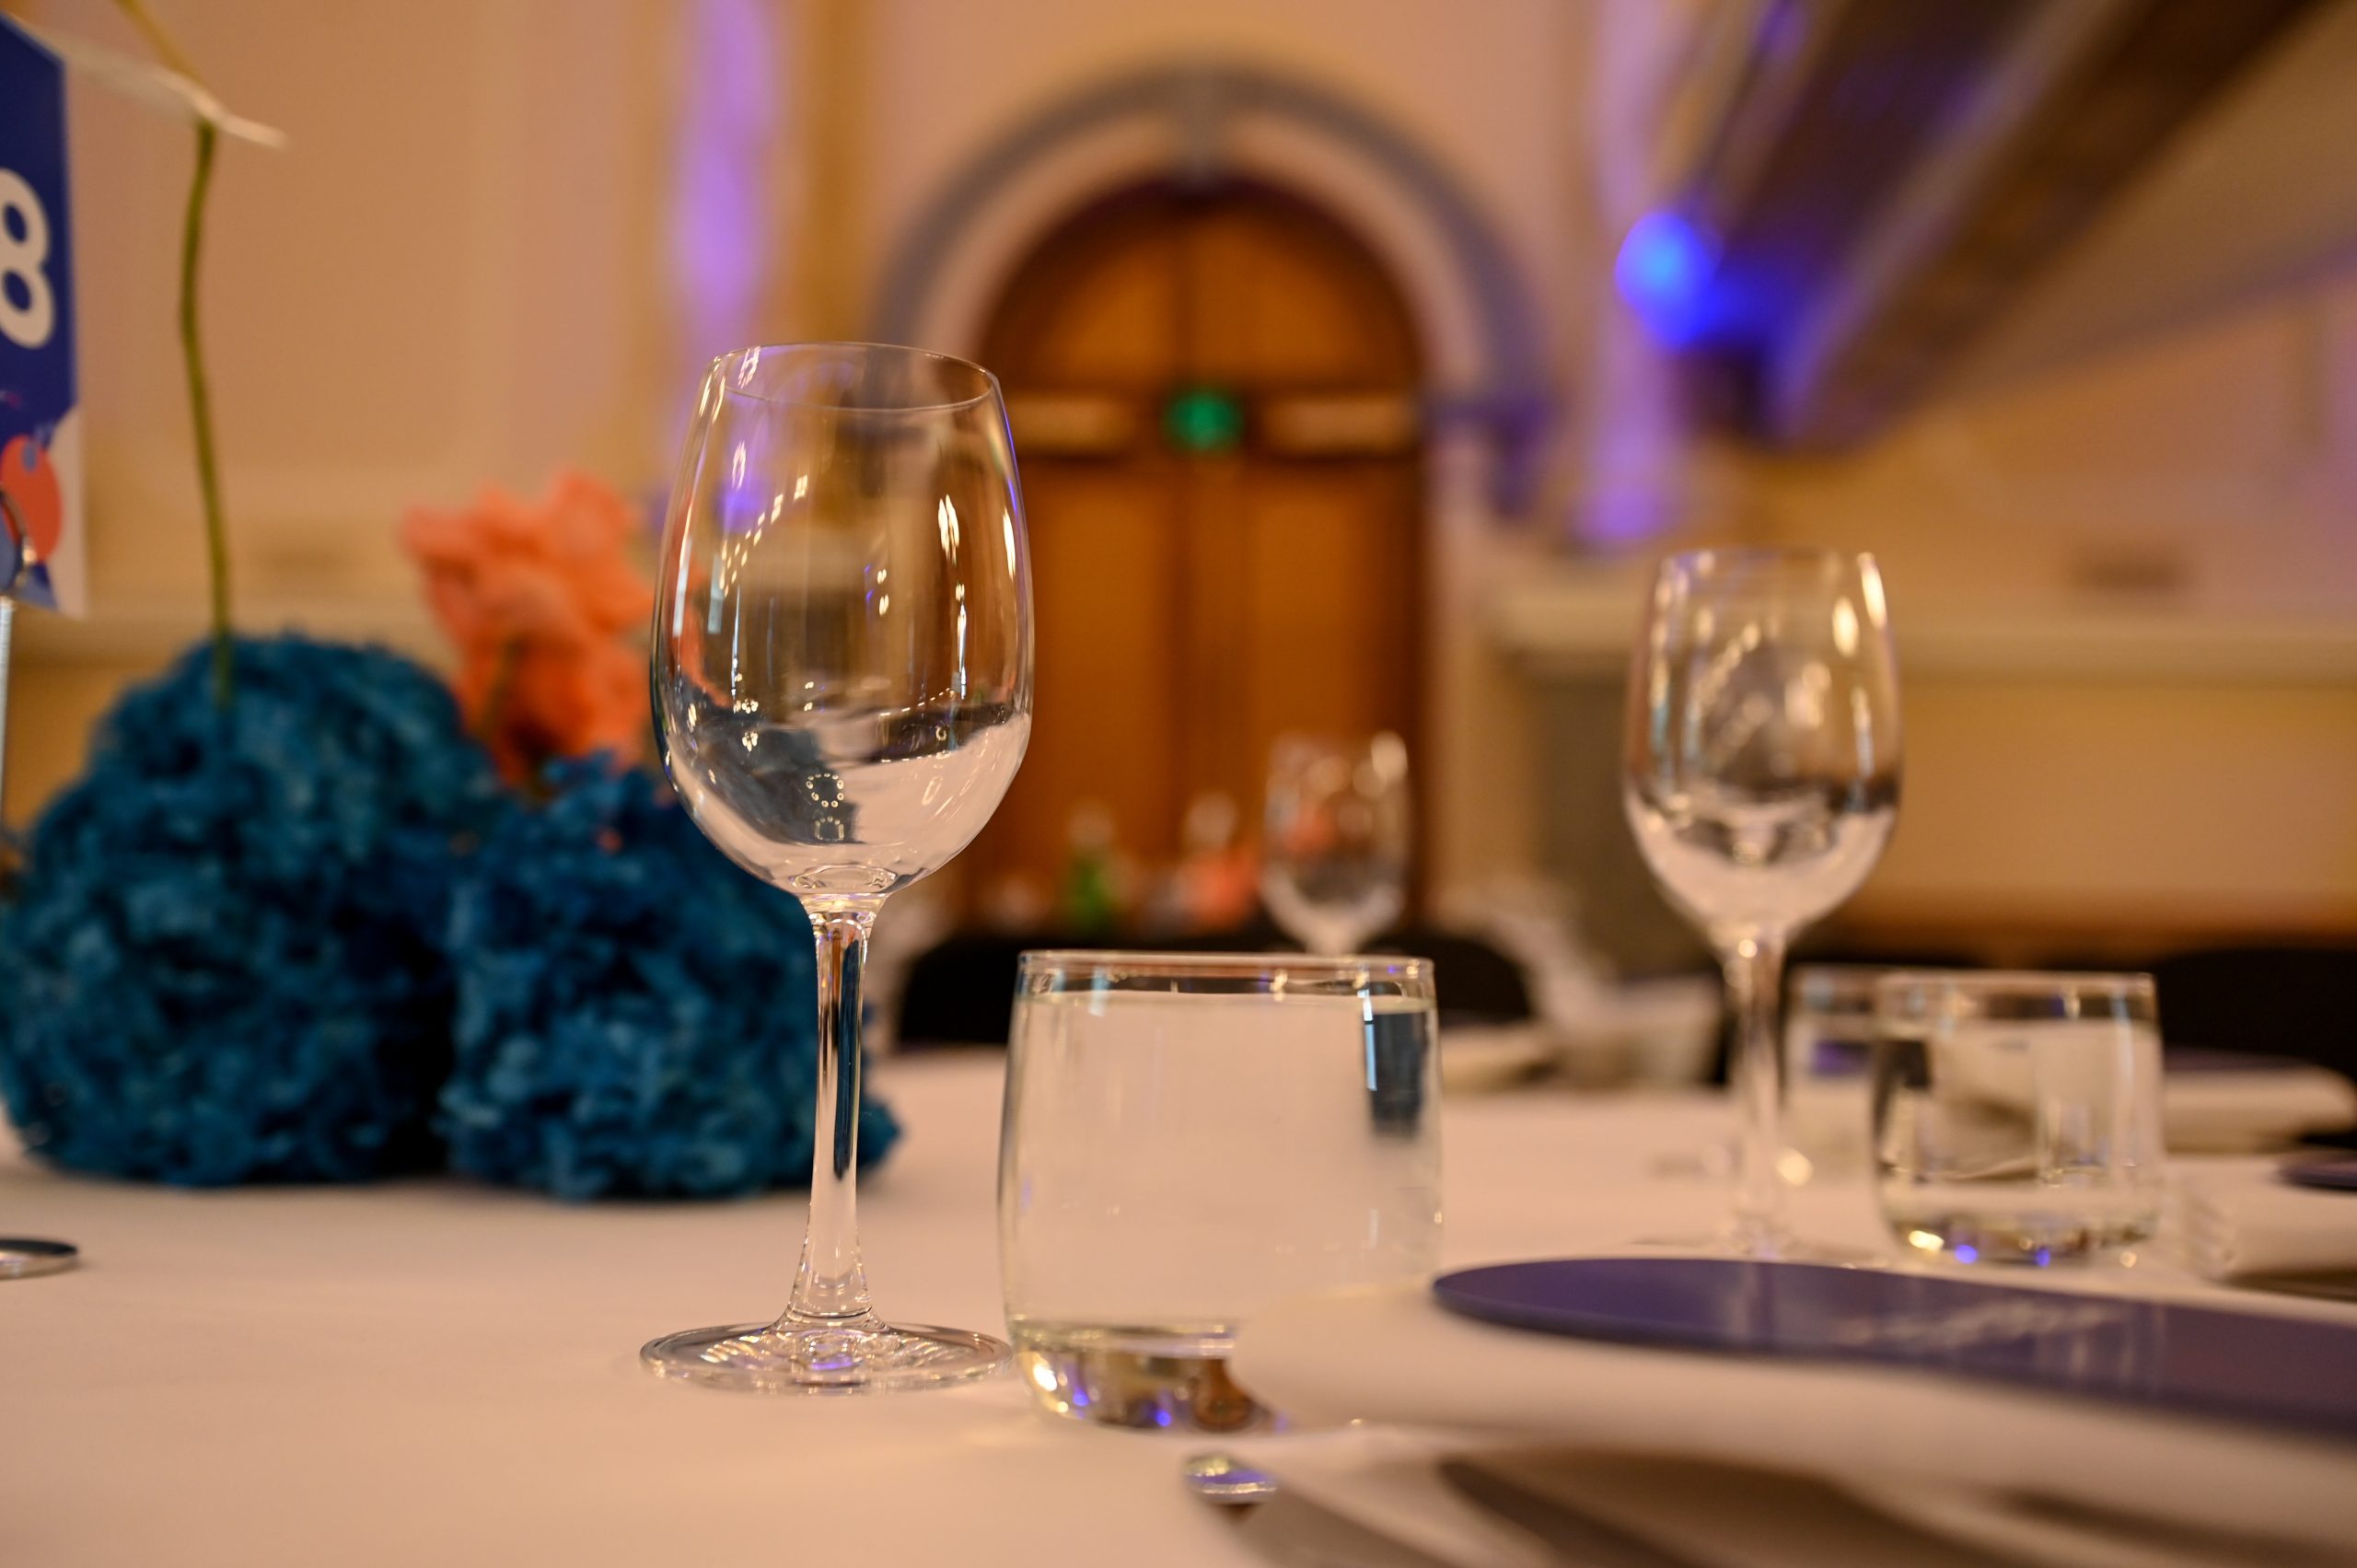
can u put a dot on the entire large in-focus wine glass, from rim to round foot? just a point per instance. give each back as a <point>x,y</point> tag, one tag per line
<point>845,680</point>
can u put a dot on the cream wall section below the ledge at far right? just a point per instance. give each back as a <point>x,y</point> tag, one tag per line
<point>2137,808</point>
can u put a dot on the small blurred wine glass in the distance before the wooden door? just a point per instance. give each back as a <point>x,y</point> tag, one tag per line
<point>1335,864</point>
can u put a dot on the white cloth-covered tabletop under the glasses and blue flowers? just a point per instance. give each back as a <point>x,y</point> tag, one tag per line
<point>440,1373</point>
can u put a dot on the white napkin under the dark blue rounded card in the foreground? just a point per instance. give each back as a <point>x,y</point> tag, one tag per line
<point>1397,1357</point>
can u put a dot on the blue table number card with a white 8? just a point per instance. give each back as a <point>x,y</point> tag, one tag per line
<point>41,433</point>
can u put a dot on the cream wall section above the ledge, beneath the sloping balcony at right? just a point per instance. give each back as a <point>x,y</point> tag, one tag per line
<point>2221,459</point>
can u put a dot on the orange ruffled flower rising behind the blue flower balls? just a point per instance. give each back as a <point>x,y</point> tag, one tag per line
<point>539,602</point>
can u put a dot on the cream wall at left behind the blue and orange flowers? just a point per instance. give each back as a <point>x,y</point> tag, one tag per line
<point>449,279</point>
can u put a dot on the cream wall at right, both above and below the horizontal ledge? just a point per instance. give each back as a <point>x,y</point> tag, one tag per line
<point>2219,468</point>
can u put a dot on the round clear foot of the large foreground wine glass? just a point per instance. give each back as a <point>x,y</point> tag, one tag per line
<point>859,1357</point>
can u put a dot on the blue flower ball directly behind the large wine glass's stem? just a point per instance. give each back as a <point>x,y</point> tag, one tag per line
<point>635,1015</point>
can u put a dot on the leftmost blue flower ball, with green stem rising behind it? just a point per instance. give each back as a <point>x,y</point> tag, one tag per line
<point>223,961</point>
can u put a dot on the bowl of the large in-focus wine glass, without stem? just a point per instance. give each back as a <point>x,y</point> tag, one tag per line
<point>831,727</point>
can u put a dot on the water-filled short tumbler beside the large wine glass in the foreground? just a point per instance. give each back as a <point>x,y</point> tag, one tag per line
<point>1191,1138</point>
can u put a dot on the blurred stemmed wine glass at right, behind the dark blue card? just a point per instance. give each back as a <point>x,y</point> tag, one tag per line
<point>1762,779</point>
